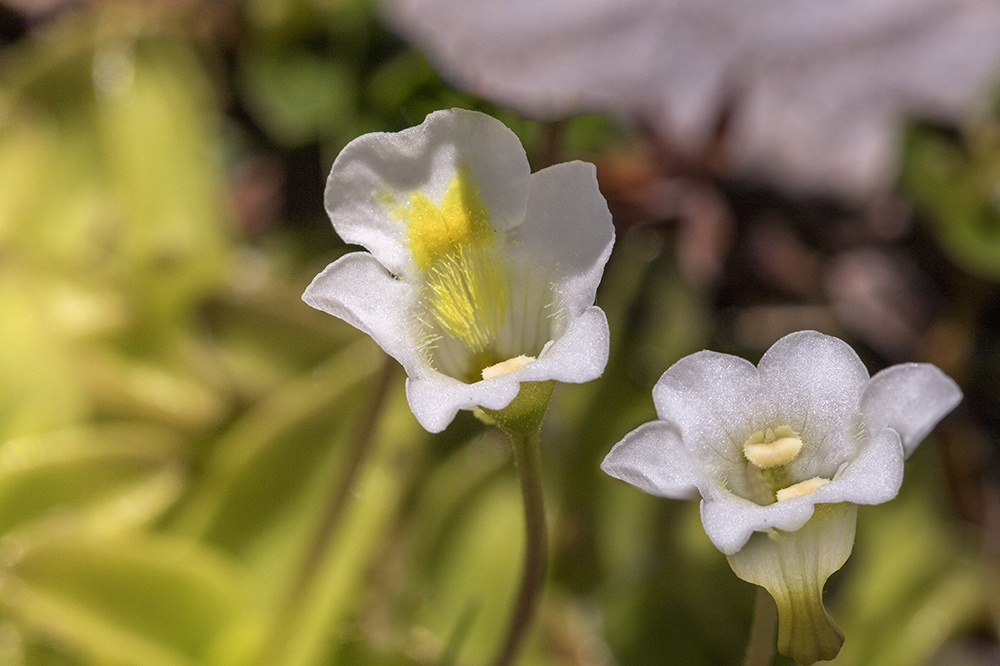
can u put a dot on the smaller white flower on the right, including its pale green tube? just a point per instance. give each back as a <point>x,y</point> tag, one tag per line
<point>781,454</point>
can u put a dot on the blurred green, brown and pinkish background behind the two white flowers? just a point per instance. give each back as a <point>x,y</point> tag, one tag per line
<point>196,468</point>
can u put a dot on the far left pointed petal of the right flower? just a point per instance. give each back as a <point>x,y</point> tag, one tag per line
<point>652,458</point>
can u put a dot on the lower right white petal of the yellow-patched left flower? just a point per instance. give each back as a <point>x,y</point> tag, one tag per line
<point>578,356</point>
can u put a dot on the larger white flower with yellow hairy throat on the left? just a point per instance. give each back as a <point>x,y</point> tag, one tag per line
<point>475,266</point>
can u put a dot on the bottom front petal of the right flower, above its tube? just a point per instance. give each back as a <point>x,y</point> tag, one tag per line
<point>730,520</point>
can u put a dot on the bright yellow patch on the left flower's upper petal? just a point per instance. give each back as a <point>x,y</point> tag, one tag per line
<point>434,230</point>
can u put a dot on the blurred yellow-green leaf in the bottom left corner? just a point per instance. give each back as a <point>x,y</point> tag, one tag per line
<point>148,601</point>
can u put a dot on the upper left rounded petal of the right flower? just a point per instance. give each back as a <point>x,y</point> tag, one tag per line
<point>708,396</point>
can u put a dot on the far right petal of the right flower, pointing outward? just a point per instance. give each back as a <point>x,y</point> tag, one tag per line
<point>910,398</point>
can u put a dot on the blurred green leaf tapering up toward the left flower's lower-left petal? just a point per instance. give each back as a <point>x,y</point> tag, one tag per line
<point>267,459</point>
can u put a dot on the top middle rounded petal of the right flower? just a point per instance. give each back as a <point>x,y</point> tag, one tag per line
<point>814,382</point>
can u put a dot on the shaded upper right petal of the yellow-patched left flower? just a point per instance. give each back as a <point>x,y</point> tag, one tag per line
<point>568,230</point>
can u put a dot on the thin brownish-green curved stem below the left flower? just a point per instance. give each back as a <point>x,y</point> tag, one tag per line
<point>527,460</point>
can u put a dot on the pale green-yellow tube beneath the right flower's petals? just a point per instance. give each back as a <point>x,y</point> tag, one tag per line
<point>793,567</point>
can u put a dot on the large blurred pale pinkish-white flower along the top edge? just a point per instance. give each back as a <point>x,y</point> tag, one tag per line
<point>813,90</point>
